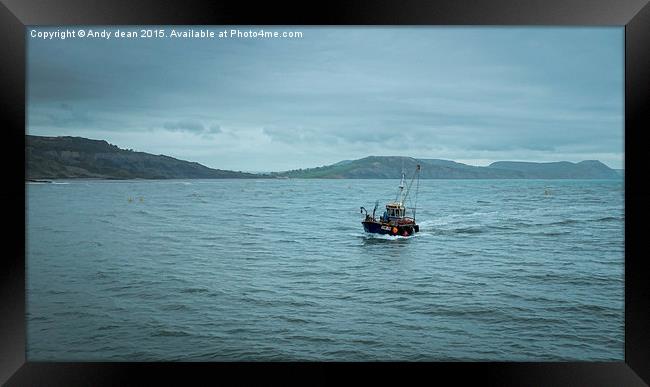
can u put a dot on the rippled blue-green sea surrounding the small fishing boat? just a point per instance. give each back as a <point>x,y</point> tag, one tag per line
<point>210,270</point>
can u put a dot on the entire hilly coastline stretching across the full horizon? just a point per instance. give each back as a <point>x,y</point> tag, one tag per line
<point>77,157</point>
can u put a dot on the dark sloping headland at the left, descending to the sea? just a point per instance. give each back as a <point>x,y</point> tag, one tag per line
<point>77,157</point>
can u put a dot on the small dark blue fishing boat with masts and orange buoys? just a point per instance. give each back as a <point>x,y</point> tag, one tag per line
<point>394,220</point>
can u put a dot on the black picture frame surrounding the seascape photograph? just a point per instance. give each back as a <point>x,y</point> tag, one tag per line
<point>15,15</point>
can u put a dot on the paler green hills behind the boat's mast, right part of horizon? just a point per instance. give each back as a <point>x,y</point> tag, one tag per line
<point>390,167</point>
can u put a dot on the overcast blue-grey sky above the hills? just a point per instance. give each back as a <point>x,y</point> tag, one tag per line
<point>473,95</point>
